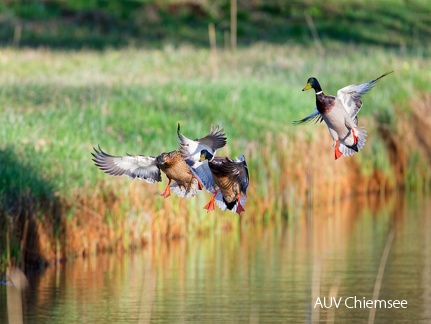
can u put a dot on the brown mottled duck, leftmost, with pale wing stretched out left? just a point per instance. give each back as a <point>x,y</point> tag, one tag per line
<point>148,168</point>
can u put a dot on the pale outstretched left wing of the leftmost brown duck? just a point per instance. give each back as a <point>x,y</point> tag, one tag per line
<point>134,166</point>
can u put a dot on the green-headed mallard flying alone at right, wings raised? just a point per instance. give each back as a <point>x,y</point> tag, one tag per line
<point>340,115</point>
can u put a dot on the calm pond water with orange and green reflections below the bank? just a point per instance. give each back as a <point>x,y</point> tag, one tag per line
<point>268,274</point>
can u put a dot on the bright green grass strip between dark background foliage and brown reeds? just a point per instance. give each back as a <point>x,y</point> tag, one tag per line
<point>57,105</point>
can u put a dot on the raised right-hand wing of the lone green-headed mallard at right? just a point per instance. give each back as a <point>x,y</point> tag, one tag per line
<point>351,95</point>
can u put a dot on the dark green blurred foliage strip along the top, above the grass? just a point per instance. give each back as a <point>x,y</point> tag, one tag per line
<point>98,24</point>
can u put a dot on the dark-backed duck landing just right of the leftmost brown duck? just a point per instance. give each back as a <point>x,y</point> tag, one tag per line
<point>230,182</point>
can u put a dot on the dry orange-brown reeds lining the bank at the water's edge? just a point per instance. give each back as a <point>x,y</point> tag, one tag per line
<point>287,173</point>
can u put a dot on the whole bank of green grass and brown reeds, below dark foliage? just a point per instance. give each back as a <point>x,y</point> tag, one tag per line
<point>56,106</point>
